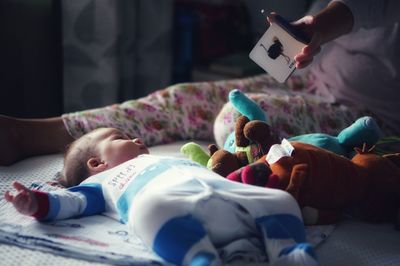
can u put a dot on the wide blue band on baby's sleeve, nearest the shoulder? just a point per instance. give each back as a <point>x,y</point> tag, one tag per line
<point>94,198</point>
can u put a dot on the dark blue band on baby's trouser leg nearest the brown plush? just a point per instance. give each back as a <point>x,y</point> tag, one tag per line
<point>283,226</point>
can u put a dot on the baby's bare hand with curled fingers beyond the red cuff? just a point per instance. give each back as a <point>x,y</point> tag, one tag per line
<point>24,201</point>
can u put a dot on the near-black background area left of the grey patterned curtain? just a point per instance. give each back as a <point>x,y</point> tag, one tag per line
<point>30,58</point>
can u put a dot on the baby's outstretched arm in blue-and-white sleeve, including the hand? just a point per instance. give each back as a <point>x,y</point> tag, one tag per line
<point>81,200</point>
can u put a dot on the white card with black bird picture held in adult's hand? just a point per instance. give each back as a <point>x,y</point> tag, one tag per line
<point>275,50</point>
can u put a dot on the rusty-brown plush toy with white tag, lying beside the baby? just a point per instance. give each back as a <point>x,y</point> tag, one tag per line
<point>325,184</point>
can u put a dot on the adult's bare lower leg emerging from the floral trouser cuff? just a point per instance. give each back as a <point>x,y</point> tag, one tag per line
<point>21,138</point>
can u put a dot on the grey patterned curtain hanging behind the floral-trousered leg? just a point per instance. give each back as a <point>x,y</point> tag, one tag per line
<point>114,50</point>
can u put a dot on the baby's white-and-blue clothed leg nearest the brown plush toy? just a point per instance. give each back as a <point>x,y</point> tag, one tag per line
<point>278,218</point>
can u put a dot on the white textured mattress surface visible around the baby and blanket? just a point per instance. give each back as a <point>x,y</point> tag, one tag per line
<point>351,243</point>
